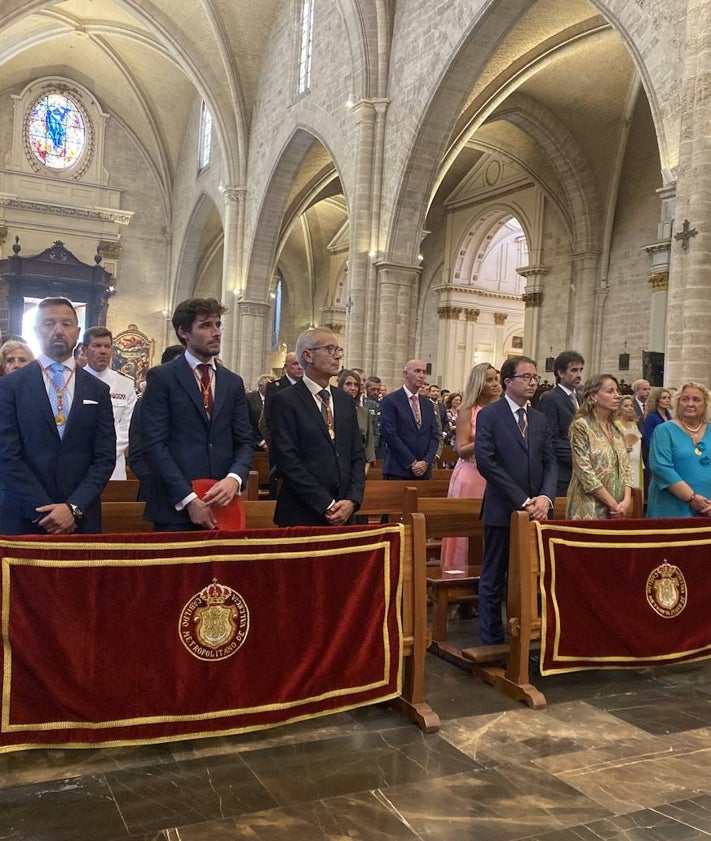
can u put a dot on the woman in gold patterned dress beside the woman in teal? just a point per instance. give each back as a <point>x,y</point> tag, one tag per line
<point>601,481</point>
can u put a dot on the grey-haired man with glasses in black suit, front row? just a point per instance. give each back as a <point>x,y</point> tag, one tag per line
<point>316,443</point>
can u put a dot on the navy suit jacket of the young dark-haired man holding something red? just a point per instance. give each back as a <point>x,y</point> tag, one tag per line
<point>180,443</point>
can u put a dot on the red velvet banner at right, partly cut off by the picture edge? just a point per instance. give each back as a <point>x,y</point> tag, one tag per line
<point>625,593</point>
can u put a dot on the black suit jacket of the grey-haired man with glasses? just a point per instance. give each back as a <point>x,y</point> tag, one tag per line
<point>315,470</point>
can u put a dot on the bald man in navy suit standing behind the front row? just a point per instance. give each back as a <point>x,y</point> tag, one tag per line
<point>409,428</point>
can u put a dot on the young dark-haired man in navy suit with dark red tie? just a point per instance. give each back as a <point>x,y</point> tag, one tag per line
<point>194,425</point>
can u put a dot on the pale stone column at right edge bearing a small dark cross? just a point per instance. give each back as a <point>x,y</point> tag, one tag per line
<point>688,334</point>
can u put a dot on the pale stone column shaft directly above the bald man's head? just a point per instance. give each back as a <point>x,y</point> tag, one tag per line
<point>395,314</point>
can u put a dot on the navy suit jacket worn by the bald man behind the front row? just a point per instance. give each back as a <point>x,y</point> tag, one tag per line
<point>406,443</point>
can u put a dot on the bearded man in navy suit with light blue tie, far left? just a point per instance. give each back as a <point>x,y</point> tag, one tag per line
<point>57,437</point>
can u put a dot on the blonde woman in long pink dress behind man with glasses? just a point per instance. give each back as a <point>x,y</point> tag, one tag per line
<point>467,483</point>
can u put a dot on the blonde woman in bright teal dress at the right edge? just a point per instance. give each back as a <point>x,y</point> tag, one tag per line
<point>680,458</point>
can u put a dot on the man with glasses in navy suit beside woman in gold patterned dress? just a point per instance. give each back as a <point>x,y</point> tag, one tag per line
<point>514,453</point>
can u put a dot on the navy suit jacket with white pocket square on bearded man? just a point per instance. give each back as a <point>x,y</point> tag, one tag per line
<point>37,467</point>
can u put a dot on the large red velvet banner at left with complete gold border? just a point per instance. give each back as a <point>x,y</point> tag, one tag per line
<point>158,637</point>
